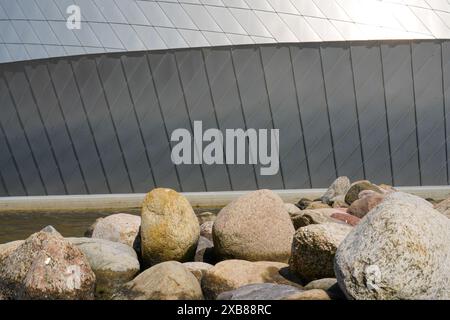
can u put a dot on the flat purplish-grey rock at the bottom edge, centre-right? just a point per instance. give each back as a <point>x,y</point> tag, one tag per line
<point>260,291</point>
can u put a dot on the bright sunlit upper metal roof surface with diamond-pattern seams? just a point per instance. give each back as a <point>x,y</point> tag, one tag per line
<point>35,29</point>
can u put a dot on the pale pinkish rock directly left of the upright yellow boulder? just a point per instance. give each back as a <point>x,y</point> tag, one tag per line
<point>121,227</point>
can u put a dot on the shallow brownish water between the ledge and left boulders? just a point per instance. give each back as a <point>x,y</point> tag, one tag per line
<point>18,226</point>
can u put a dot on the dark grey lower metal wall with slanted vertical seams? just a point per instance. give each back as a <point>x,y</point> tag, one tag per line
<point>100,123</point>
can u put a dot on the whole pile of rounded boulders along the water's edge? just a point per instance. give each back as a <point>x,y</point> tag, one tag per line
<point>358,241</point>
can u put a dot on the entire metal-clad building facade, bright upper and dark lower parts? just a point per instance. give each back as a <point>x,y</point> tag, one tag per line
<point>91,110</point>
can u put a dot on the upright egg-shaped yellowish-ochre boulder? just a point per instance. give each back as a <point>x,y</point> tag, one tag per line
<point>169,229</point>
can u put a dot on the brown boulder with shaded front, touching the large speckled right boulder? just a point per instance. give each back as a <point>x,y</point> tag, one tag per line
<point>314,248</point>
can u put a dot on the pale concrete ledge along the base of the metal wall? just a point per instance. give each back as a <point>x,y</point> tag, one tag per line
<point>119,202</point>
